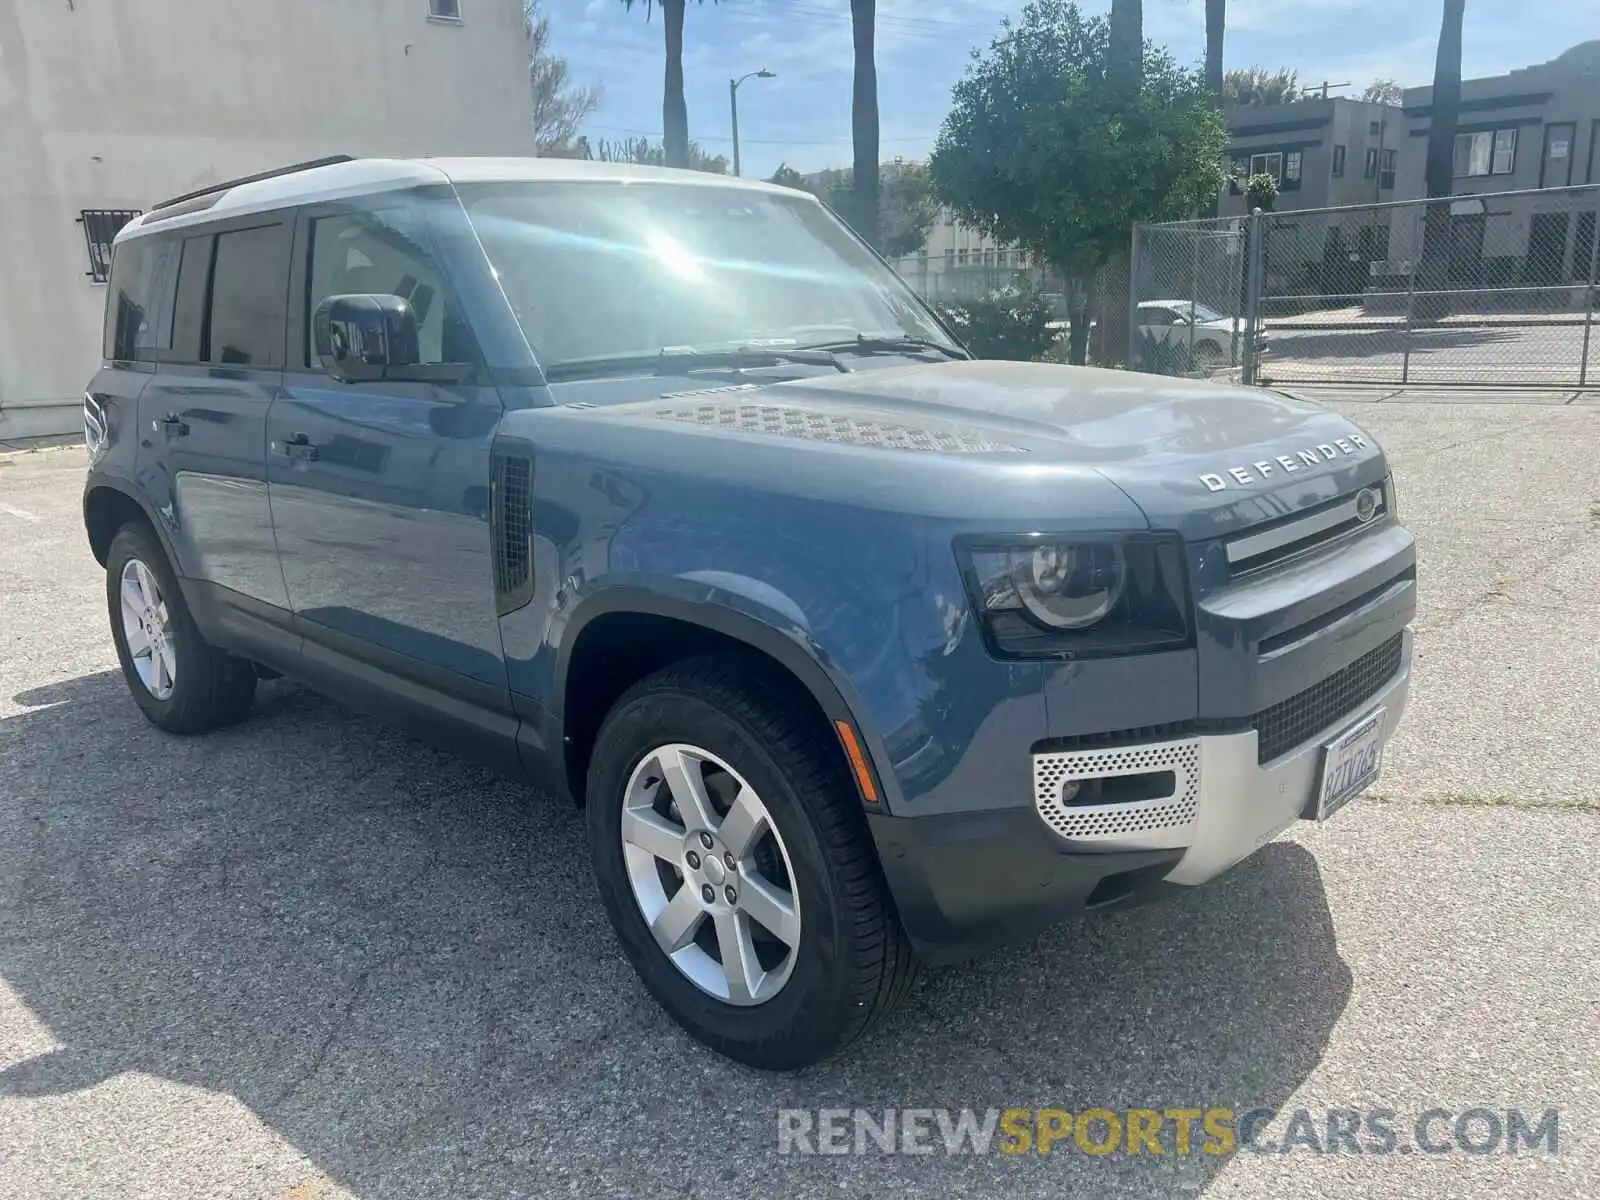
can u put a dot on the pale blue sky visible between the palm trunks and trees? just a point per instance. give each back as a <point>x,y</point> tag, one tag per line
<point>802,118</point>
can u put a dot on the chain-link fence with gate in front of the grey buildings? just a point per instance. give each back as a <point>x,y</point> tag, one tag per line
<point>1474,290</point>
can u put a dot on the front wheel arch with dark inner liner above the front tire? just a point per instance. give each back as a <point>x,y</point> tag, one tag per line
<point>623,634</point>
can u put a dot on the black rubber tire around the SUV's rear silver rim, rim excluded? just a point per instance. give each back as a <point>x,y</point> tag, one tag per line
<point>210,689</point>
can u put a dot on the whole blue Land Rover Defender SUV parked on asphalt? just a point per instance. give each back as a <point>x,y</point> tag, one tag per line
<point>663,490</point>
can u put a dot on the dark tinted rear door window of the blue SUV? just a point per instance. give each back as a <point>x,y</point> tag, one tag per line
<point>249,298</point>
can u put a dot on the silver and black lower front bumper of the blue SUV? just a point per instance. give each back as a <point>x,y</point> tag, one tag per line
<point>970,881</point>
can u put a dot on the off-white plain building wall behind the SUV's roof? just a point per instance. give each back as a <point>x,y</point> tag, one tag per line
<point>126,103</point>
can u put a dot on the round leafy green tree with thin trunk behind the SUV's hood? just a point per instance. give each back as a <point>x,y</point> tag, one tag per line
<point>1042,151</point>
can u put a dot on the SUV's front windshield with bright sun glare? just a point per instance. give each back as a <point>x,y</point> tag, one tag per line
<point>614,270</point>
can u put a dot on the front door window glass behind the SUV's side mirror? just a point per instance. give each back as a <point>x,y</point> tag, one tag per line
<point>382,254</point>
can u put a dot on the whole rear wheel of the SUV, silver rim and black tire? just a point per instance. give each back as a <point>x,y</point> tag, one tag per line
<point>178,681</point>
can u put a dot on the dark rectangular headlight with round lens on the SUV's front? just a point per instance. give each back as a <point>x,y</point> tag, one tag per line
<point>1066,599</point>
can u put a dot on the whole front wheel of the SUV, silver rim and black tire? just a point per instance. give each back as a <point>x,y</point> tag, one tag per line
<point>737,868</point>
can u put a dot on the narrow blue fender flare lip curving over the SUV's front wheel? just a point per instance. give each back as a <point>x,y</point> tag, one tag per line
<point>746,620</point>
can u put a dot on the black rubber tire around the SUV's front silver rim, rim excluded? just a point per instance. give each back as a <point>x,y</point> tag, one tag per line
<point>854,962</point>
